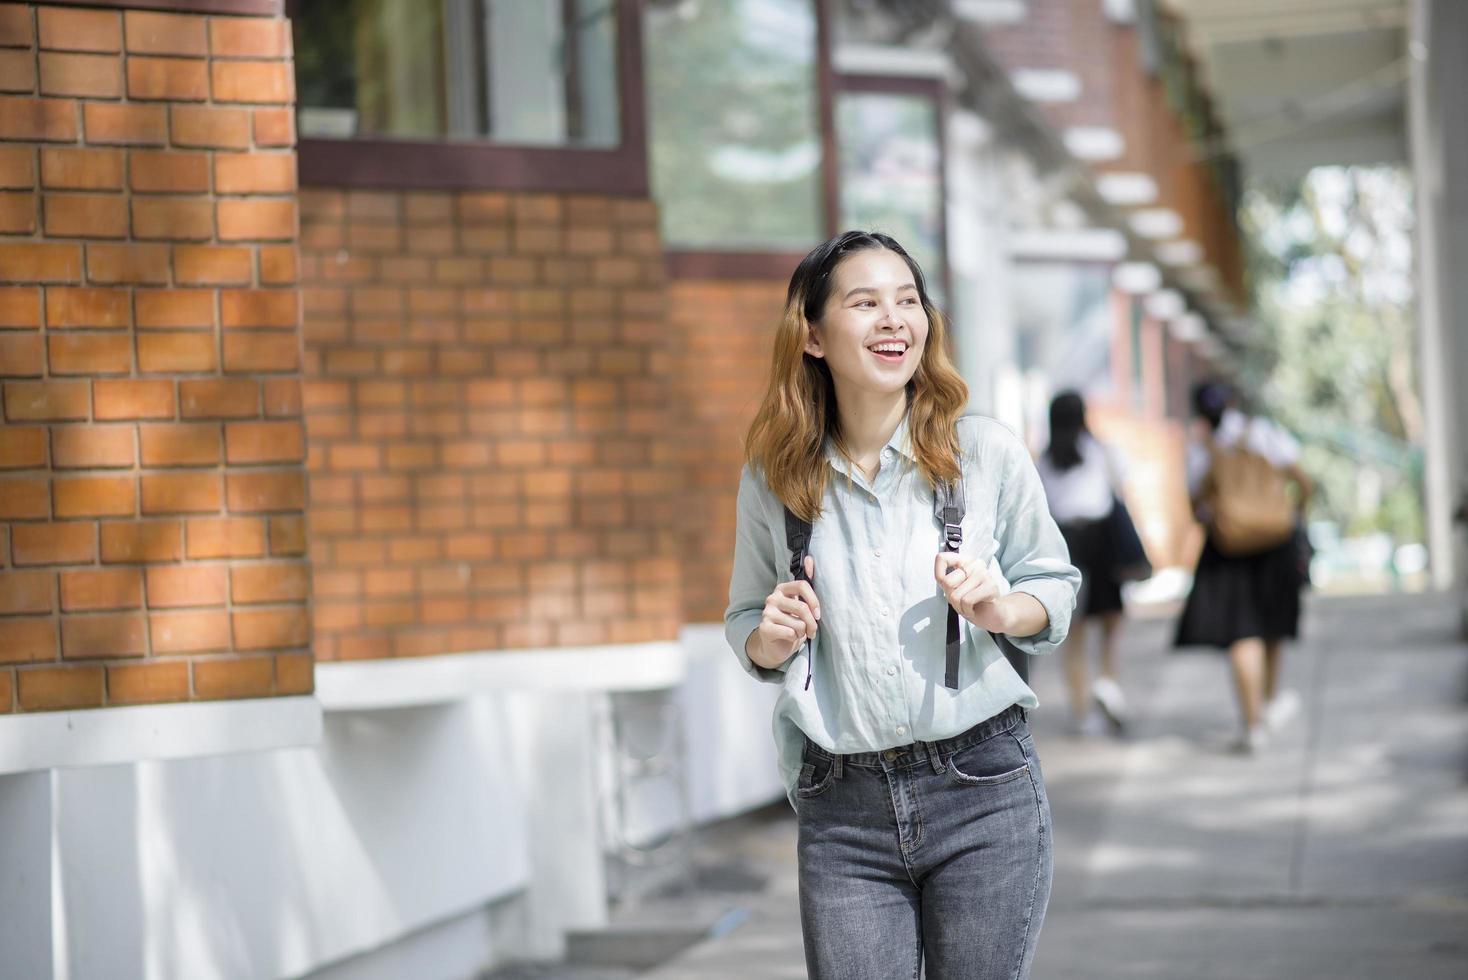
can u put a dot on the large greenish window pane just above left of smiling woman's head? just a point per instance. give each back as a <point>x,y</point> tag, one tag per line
<point>735,122</point>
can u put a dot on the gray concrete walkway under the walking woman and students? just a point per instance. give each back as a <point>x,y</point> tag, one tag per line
<point>1342,852</point>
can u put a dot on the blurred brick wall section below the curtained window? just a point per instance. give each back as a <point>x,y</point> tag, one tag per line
<point>491,445</point>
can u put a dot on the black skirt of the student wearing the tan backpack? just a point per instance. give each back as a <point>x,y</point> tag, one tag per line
<point>1243,598</point>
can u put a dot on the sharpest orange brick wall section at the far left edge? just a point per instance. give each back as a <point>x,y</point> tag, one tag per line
<point>152,458</point>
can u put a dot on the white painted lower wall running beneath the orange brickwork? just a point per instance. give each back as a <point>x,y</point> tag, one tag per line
<point>428,841</point>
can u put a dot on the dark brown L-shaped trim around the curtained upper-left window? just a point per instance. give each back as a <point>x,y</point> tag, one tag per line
<point>490,167</point>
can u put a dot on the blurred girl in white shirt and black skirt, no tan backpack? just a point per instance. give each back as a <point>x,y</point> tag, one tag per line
<point>1084,485</point>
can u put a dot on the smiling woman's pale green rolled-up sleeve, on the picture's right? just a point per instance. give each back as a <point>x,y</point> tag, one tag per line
<point>1033,552</point>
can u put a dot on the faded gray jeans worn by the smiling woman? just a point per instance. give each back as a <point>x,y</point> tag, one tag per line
<point>934,852</point>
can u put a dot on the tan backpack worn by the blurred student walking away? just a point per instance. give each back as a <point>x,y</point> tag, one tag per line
<point>1249,502</point>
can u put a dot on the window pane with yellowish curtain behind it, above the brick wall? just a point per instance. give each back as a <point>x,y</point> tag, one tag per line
<point>526,73</point>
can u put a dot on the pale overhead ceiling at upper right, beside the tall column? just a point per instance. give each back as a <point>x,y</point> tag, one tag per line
<point>1304,83</point>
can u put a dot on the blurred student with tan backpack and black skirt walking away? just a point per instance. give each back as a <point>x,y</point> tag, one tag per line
<point>1246,596</point>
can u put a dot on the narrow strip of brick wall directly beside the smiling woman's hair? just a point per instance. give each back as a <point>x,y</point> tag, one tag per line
<point>724,332</point>
